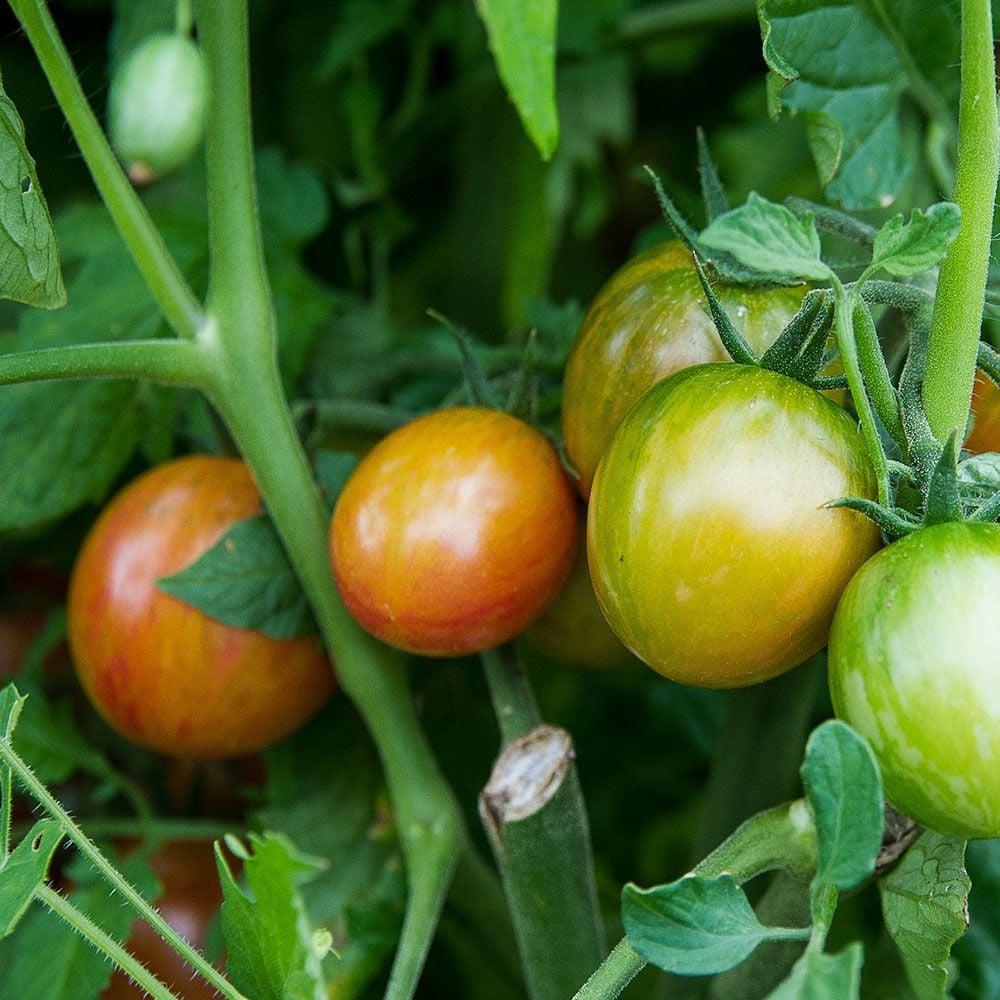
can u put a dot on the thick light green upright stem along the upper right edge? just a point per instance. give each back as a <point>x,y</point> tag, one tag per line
<point>958,308</point>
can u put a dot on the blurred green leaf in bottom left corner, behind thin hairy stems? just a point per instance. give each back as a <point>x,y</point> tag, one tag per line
<point>46,959</point>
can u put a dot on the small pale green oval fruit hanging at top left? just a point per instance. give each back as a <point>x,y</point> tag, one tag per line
<point>156,106</point>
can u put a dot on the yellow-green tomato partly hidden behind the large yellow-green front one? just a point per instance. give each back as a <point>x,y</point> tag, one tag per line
<point>647,322</point>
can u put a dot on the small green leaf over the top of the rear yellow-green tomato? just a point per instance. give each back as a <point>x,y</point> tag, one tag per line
<point>768,237</point>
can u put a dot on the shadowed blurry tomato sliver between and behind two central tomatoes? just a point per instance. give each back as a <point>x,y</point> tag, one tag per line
<point>573,629</point>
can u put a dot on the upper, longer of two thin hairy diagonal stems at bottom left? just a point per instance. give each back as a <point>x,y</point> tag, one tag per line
<point>115,879</point>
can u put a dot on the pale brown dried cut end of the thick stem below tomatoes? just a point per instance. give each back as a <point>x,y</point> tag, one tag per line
<point>525,776</point>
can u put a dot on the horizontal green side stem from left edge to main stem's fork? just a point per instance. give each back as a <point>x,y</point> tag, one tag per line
<point>170,362</point>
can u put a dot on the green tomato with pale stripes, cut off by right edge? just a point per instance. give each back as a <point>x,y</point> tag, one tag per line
<point>914,665</point>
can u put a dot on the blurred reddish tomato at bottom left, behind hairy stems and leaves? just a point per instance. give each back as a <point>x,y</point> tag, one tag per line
<point>190,898</point>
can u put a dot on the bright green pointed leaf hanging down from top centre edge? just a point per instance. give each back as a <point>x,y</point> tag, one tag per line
<point>523,40</point>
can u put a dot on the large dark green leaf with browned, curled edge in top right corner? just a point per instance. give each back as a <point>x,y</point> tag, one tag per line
<point>844,65</point>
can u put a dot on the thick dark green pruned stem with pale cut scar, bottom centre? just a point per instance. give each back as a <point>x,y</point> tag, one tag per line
<point>545,858</point>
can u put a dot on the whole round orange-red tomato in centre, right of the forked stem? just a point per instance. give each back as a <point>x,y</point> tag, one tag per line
<point>454,532</point>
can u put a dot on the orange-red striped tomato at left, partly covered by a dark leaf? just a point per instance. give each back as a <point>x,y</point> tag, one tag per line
<point>160,672</point>
